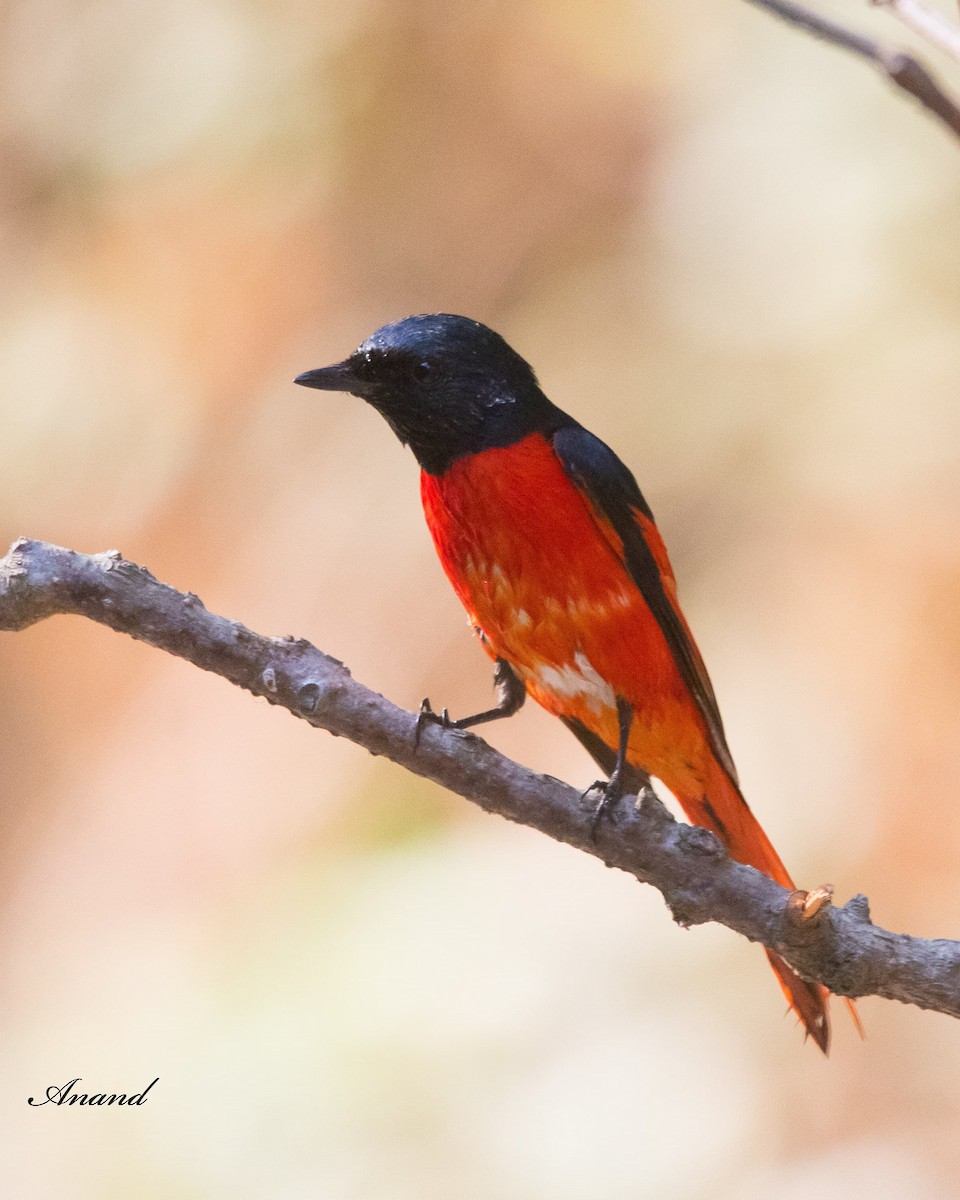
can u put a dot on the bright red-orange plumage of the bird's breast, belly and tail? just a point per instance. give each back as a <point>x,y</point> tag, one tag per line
<point>541,572</point>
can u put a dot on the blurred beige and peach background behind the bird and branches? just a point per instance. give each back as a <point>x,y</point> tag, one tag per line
<point>731,253</point>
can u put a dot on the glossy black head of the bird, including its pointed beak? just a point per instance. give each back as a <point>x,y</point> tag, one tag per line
<point>448,386</point>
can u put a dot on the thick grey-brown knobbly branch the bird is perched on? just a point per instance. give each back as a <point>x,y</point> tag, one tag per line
<point>841,947</point>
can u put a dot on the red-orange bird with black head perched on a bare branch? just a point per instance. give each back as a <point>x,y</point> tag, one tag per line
<point>554,553</point>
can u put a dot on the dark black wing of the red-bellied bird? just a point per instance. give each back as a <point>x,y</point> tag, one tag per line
<point>614,493</point>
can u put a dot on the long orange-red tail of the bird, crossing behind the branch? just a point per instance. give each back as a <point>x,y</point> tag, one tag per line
<point>725,812</point>
